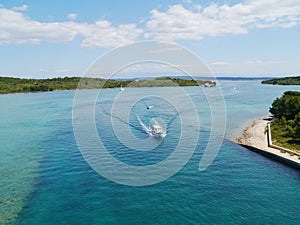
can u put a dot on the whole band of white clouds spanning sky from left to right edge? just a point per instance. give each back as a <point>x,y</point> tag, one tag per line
<point>178,22</point>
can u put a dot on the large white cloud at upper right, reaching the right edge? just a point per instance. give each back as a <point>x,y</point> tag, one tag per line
<point>180,23</point>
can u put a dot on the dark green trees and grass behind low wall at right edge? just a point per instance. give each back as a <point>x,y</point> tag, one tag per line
<point>286,124</point>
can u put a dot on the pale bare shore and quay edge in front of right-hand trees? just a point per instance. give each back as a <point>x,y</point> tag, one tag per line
<point>255,138</point>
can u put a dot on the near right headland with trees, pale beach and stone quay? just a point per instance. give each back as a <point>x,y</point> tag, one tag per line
<point>277,136</point>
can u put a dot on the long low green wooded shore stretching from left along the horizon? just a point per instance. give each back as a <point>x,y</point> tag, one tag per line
<point>18,85</point>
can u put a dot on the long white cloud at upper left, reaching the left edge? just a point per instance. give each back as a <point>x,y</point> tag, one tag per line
<point>16,28</point>
